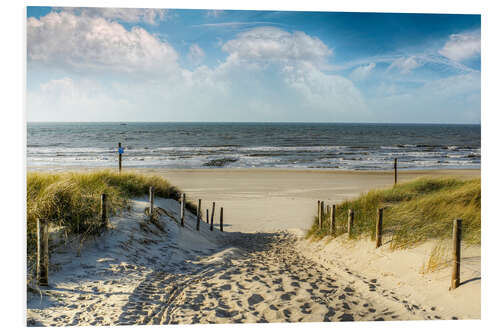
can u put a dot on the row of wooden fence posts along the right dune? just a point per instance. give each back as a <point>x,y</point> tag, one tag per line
<point>456,234</point>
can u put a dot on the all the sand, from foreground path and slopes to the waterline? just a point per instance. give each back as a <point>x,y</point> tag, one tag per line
<point>137,274</point>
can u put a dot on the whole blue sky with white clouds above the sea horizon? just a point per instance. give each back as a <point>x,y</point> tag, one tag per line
<point>113,64</point>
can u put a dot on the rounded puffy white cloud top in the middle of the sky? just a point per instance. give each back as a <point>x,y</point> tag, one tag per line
<point>276,45</point>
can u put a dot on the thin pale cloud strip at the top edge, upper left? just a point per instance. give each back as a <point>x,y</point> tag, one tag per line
<point>131,15</point>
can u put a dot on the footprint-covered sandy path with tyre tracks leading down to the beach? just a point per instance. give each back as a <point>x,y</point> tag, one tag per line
<point>267,281</point>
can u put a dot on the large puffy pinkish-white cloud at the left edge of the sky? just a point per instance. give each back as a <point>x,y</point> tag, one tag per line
<point>93,43</point>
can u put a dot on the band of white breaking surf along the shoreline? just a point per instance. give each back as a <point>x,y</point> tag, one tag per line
<point>334,157</point>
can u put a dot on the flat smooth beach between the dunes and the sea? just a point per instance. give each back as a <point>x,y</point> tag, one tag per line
<point>279,199</point>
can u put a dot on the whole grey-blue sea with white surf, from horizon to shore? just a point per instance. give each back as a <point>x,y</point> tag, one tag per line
<point>345,146</point>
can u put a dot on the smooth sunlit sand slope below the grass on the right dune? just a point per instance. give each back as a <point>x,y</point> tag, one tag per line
<point>401,272</point>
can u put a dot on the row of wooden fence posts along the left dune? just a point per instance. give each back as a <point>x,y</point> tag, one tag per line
<point>42,226</point>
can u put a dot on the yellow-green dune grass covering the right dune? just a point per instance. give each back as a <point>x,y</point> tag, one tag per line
<point>414,212</point>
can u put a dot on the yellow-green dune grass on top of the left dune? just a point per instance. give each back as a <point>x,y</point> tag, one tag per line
<point>71,200</point>
